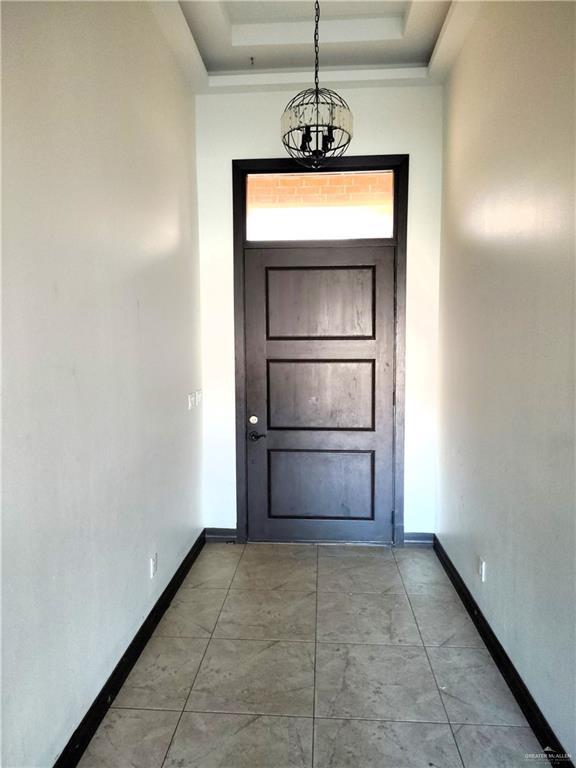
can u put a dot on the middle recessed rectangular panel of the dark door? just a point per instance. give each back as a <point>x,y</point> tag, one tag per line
<point>321,394</point>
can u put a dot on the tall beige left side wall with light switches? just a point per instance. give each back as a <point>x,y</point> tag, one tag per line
<point>100,348</point>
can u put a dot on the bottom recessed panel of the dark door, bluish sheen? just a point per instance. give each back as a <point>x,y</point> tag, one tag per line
<point>321,484</point>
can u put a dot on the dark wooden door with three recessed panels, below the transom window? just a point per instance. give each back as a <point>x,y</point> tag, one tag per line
<point>320,331</point>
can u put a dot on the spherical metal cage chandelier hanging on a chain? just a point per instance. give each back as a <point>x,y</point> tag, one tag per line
<point>317,122</point>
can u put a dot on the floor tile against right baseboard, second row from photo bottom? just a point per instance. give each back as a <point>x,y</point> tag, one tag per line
<point>473,689</point>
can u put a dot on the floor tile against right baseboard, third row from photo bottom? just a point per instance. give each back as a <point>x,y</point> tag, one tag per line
<point>444,622</point>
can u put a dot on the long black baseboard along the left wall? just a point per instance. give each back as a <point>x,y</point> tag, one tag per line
<point>81,737</point>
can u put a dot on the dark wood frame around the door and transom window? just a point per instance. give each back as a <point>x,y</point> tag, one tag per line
<point>240,170</point>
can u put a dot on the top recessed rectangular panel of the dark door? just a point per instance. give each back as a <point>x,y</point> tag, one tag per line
<point>316,303</point>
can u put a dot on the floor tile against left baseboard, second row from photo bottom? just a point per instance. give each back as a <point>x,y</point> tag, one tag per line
<point>163,675</point>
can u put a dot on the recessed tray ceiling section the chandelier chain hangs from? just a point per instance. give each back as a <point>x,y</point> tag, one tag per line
<point>244,36</point>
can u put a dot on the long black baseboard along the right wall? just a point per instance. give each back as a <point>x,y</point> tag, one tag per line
<point>531,710</point>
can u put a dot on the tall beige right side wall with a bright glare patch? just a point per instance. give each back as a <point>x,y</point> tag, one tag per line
<point>507,340</point>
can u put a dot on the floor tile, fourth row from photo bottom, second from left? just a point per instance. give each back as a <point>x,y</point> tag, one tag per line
<point>276,572</point>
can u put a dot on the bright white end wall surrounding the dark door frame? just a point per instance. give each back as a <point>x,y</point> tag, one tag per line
<point>404,120</point>
